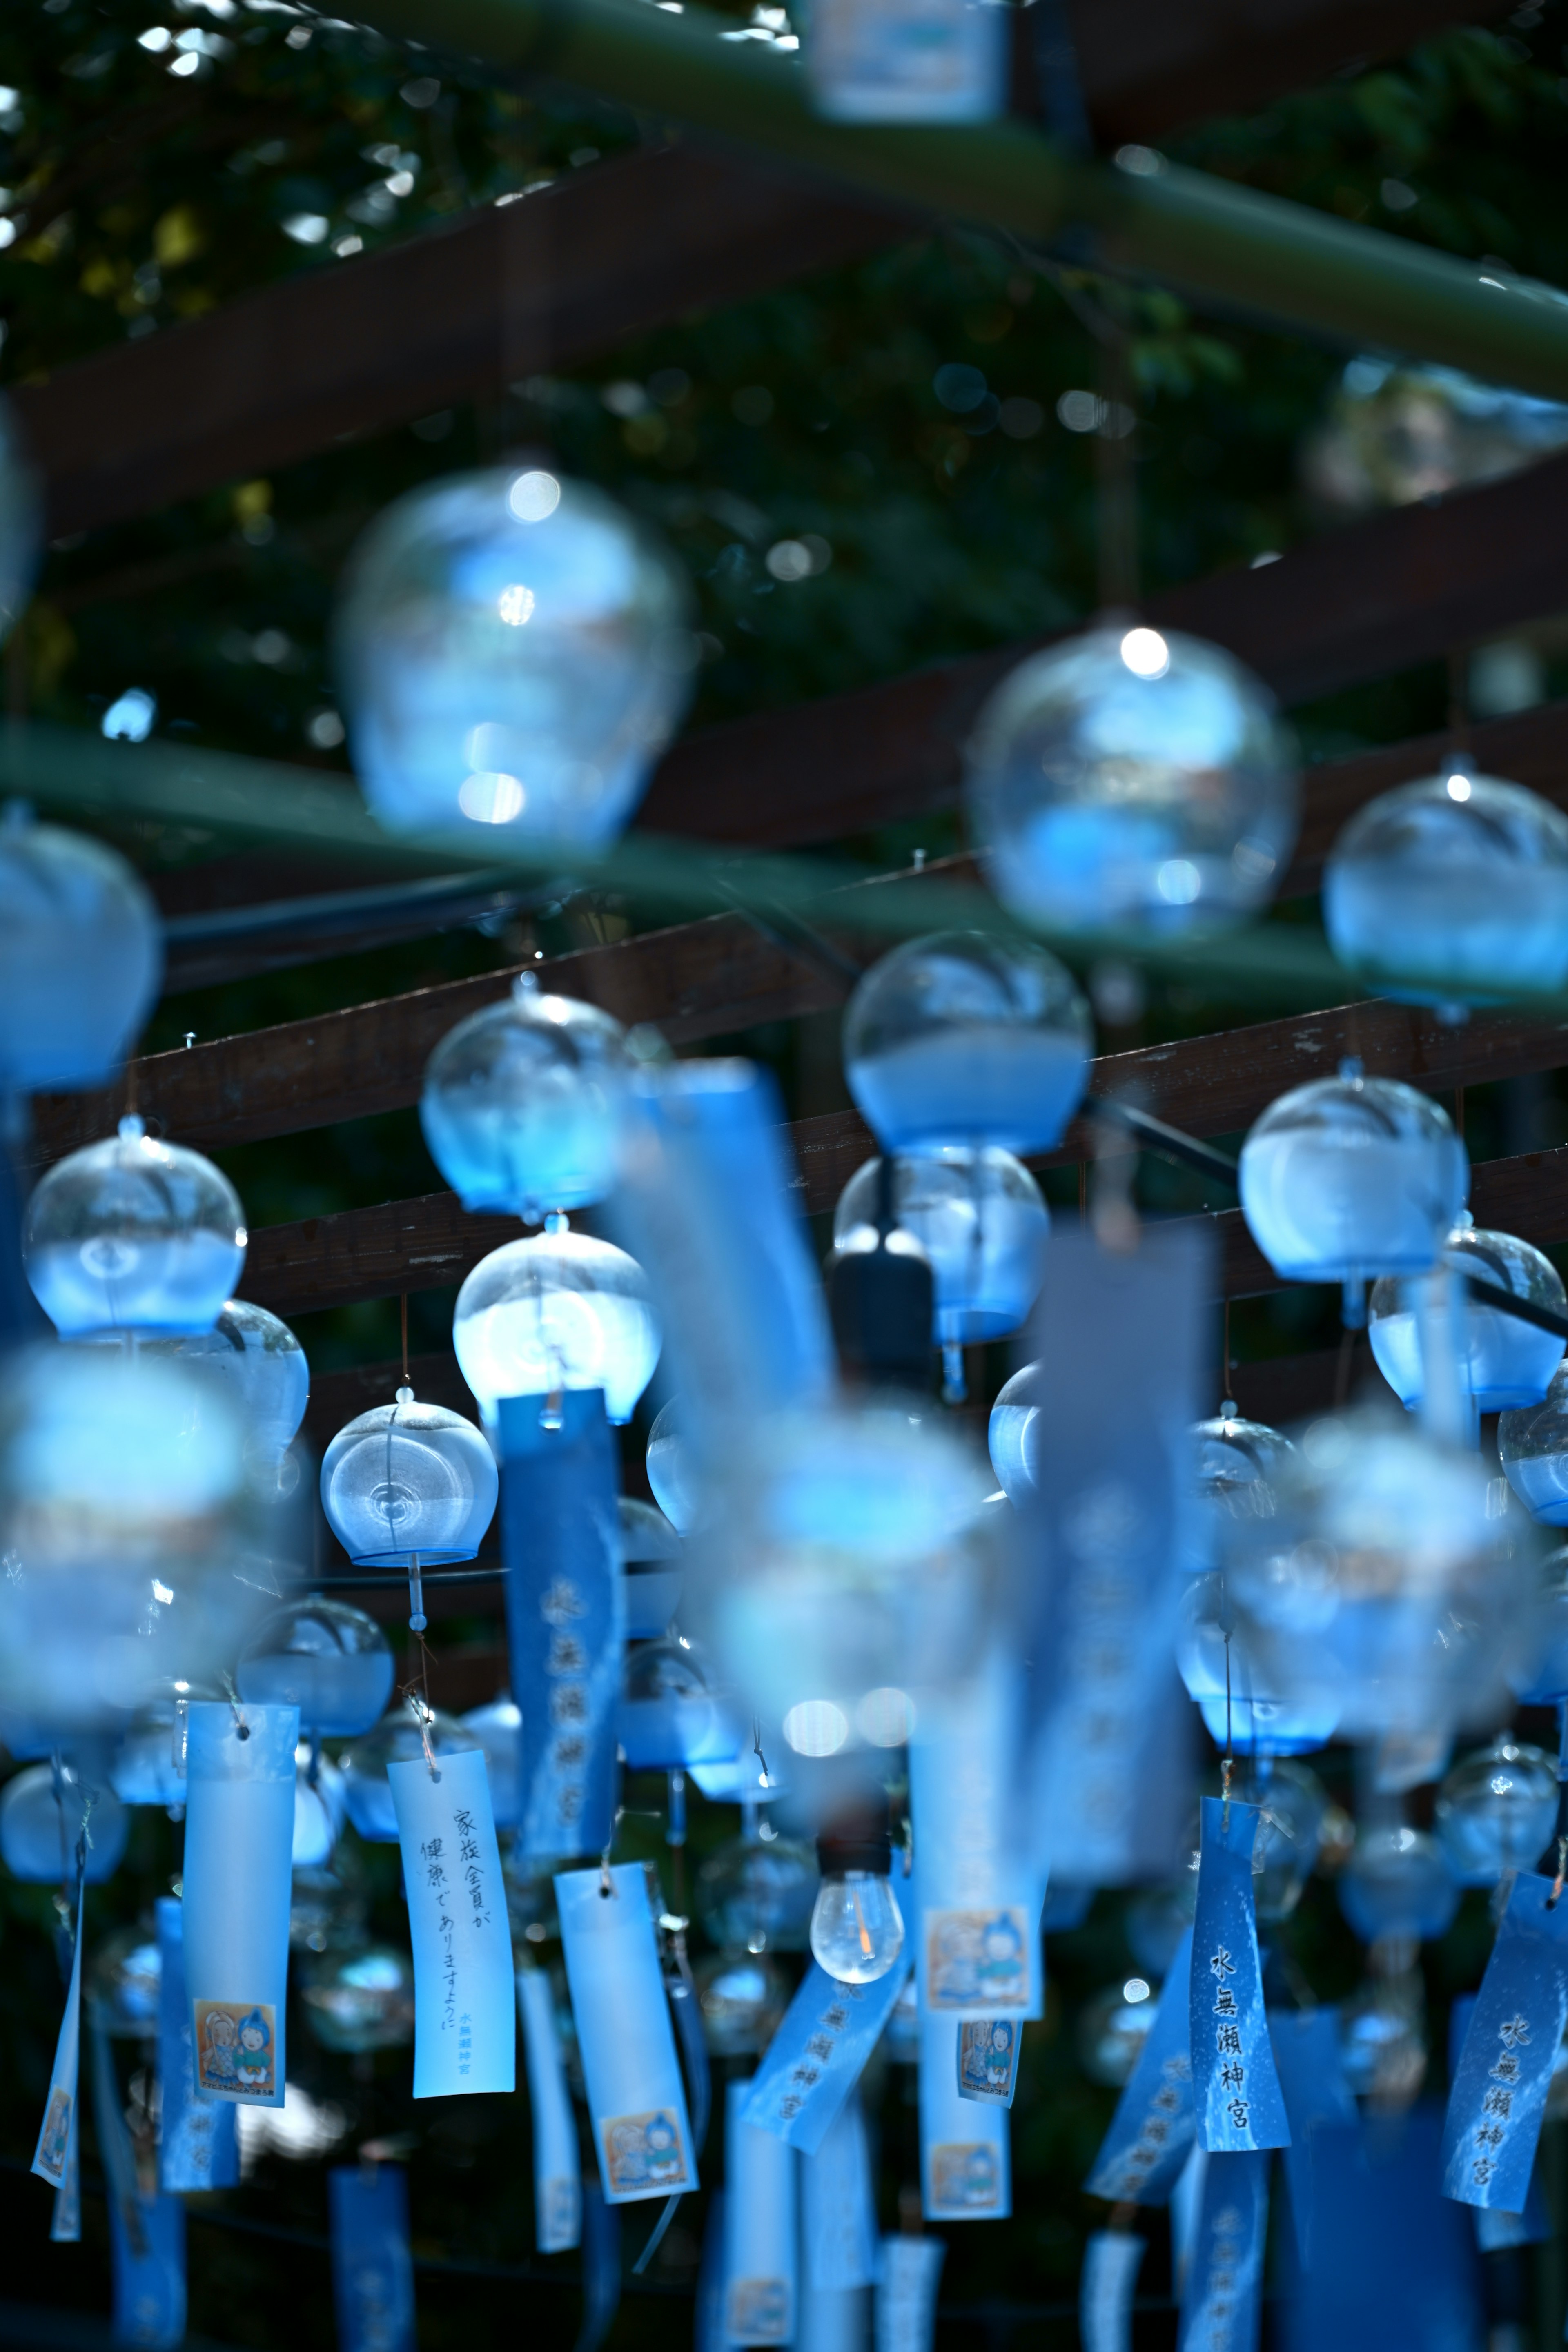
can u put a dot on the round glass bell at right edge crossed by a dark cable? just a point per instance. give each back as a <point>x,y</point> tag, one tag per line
<point>1508,1363</point>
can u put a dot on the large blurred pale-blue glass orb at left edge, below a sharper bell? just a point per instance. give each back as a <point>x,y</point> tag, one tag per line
<point>126,1537</point>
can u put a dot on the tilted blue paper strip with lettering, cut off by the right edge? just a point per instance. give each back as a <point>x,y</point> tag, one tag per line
<point>1503,2078</point>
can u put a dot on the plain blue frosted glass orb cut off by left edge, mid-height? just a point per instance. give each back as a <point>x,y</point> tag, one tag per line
<point>81,949</point>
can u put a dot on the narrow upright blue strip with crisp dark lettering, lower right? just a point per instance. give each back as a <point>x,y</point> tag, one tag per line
<point>1235,2087</point>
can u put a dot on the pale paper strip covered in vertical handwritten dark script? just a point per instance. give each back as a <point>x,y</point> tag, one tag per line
<point>464,2022</point>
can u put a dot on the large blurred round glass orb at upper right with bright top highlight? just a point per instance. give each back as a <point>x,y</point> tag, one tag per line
<point>1132,777</point>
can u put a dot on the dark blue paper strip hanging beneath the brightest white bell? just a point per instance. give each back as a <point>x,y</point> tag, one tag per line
<point>565,1612</point>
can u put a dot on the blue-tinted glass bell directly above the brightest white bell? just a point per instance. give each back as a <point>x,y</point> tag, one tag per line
<point>523,1104</point>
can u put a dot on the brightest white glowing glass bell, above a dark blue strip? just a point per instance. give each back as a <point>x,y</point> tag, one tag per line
<point>558,1311</point>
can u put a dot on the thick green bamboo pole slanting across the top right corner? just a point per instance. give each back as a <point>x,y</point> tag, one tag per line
<point>1139,215</point>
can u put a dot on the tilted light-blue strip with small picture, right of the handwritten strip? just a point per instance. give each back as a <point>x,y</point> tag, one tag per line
<point>636,2094</point>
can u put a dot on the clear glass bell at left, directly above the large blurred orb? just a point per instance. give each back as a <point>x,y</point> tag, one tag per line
<point>133,1236</point>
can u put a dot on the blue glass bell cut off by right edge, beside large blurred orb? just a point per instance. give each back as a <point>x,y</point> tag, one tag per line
<point>1452,893</point>
